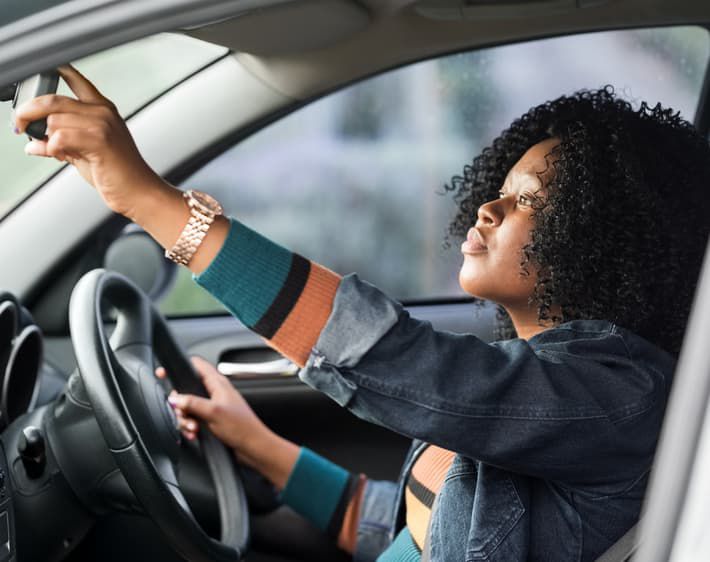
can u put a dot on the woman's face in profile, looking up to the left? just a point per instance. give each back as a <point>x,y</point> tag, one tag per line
<point>492,252</point>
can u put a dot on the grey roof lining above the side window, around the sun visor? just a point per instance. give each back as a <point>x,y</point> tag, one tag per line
<point>398,34</point>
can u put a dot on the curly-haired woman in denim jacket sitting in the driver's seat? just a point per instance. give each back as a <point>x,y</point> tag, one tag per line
<point>584,221</point>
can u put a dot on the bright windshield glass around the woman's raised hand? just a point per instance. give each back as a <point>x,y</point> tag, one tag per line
<point>130,75</point>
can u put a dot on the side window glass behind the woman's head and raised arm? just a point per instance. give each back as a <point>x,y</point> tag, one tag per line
<point>354,180</point>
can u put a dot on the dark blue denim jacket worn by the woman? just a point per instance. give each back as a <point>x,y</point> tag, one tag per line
<point>554,436</point>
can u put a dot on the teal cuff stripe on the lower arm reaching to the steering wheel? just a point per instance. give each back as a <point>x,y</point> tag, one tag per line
<point>314,487</point>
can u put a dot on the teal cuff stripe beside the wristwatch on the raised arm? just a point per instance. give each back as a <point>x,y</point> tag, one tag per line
<point>247,274</point>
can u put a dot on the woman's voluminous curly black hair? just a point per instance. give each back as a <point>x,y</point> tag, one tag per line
<point>624,228</point>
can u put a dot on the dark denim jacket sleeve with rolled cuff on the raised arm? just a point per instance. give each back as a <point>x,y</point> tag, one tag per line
<point>565,405</point>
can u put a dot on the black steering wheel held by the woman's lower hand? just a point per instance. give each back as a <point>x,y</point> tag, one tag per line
<point>137,422</point>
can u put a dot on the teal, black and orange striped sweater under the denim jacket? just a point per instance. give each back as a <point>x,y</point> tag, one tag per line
<point>287,300</point>
